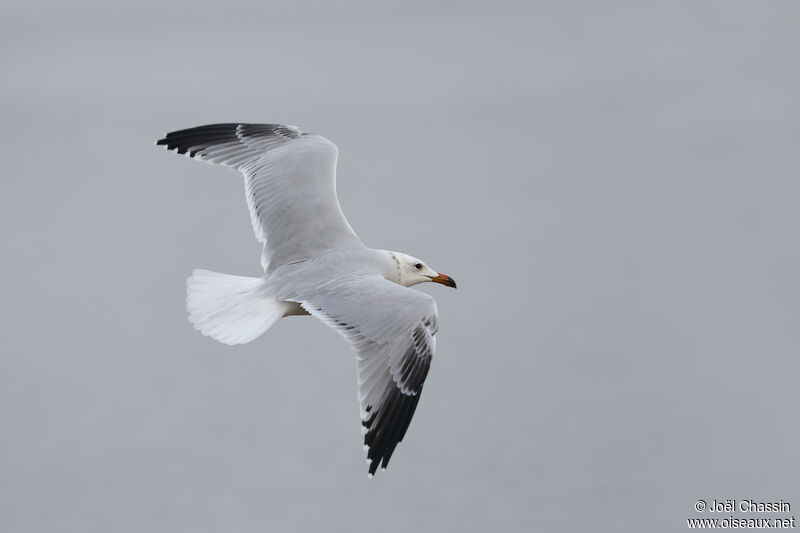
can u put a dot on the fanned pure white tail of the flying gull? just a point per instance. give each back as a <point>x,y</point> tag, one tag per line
<point>231,309</point>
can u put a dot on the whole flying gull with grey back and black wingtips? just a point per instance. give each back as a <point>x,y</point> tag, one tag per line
<point>315,264</point>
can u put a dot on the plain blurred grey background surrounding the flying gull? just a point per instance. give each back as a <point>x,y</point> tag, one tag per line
<point>613,185</point>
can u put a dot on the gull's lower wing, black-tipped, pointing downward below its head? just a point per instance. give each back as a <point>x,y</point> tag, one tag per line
<point>392,329</point>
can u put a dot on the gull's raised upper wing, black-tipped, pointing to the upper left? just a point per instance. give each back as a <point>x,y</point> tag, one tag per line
<point>290,182</point>
